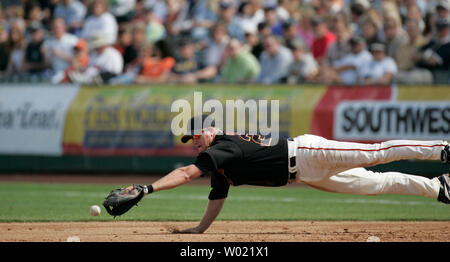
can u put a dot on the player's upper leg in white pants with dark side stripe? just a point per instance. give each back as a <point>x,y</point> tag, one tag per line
<point>319,158</point>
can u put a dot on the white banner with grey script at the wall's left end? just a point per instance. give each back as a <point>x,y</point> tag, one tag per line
<point>32,118</point>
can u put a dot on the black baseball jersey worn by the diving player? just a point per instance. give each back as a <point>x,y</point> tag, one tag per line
<point>244,159</point>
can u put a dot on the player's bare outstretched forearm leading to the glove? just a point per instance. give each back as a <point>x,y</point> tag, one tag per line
<point>177,177</point>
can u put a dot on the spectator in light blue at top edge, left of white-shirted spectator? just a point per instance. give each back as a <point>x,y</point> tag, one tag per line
<point>73,12</point>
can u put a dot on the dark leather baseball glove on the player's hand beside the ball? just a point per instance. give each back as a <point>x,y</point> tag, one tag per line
<point>120,200</point>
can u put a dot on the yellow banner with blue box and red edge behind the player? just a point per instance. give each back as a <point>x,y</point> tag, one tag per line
<point>138,120</point>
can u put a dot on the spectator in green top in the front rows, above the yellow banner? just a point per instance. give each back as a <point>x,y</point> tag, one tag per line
<point>240,65</point>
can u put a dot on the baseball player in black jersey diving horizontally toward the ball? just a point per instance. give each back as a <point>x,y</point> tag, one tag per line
<point>323,164</point>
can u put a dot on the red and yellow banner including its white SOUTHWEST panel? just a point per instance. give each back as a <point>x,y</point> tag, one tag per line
<point>373,114</point>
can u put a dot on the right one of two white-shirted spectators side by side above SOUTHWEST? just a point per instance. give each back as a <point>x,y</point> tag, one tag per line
<point>381,70</point>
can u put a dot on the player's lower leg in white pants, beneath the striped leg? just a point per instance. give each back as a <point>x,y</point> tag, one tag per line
<point>365,182</point>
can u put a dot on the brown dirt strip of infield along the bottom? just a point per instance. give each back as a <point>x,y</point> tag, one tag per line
<point>227,231</point>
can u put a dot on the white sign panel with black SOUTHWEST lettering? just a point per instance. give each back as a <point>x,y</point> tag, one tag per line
<point>392,120</point>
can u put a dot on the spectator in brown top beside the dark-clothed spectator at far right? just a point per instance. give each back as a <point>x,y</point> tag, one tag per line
<point>405,57</point>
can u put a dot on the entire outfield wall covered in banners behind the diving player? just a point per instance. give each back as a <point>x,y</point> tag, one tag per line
<point>68,128</point>
